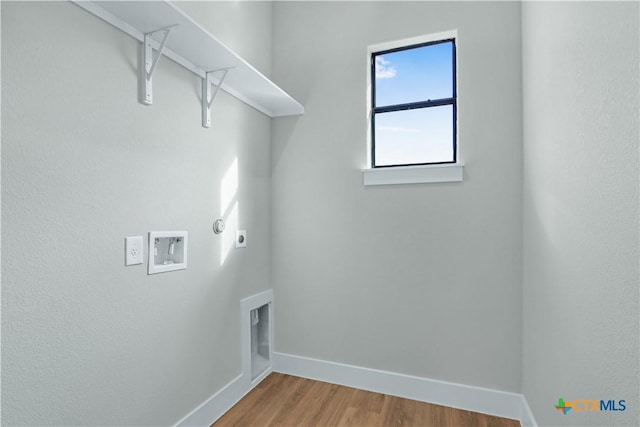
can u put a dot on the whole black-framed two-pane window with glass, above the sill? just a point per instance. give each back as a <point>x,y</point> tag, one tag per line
<point>413,106</point>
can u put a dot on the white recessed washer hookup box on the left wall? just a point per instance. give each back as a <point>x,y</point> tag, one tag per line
<point>167,251</point>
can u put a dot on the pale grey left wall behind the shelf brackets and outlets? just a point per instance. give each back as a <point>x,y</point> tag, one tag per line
<point>86,340</point>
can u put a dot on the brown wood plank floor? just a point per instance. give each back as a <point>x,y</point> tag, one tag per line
<point>284,400</point>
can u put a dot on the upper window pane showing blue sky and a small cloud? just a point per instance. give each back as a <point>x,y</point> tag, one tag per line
<point>419,74</point>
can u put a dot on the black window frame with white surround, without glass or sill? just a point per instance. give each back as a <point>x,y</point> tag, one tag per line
<point>402,45</point>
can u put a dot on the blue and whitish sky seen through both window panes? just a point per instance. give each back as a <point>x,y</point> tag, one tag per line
<point>421,135</point>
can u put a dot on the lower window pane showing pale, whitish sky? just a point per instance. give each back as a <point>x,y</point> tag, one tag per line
<point>423,135</point>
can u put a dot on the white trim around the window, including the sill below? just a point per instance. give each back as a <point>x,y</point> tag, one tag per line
<point>419,174</point>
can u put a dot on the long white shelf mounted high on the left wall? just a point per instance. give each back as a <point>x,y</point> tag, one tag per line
<point>193,47</point>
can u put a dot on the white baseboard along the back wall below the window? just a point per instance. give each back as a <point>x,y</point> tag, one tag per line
<point>477,399</point>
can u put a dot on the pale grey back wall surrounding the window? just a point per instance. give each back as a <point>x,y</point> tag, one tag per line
<point>423,279</point>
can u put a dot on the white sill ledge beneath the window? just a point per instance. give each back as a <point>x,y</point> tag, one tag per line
<point>451,172</point>
